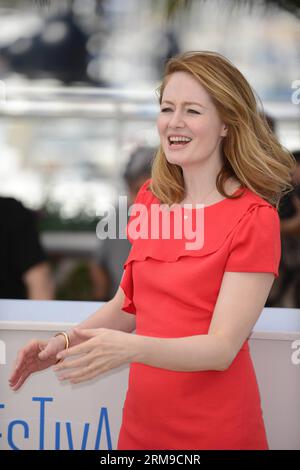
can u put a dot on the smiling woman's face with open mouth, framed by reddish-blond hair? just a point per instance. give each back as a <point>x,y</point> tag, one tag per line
<point>188,111</point>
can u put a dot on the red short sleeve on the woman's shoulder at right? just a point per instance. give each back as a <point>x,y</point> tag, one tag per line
<point>256,245</point>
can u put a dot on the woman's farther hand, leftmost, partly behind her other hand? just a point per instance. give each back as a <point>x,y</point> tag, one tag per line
<point>33,357</point>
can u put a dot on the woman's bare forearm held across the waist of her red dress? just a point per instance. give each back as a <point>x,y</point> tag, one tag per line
<point>193,353</point>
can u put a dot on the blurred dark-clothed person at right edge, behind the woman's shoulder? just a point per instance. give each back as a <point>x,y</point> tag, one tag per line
<point>289,270</point>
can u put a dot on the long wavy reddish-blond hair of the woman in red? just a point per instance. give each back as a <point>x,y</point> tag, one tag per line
<point>251,152</point>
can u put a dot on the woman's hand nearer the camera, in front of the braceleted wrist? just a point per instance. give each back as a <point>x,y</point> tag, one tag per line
<point>103,350</point>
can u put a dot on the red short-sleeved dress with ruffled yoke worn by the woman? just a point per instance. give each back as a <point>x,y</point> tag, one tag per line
<point>173,292</point>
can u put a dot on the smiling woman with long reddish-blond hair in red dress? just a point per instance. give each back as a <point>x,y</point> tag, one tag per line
<point>192,384</point>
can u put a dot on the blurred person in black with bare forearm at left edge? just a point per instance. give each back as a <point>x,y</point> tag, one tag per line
<point>24,271</point>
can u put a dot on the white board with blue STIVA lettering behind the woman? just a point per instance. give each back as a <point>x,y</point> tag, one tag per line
<point>47,414</point>
